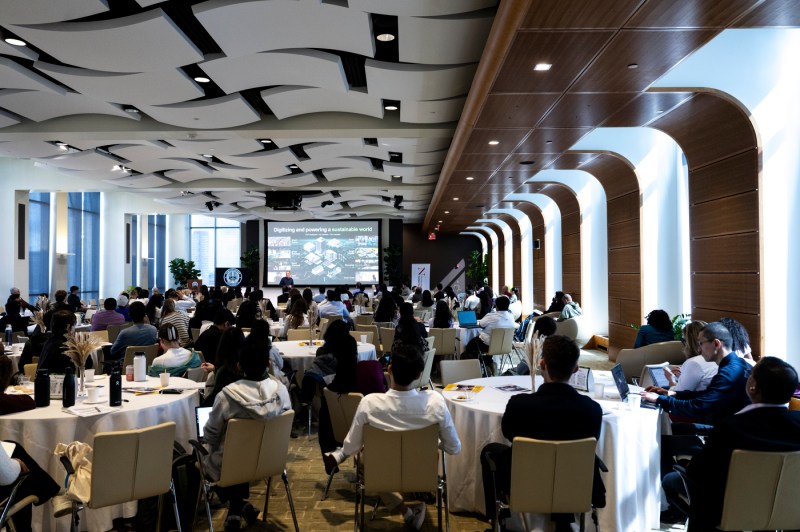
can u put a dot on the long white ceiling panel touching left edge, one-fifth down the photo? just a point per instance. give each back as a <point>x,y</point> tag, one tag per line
<point>44,105</point>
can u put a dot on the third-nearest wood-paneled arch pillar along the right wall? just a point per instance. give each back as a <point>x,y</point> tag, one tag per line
<point>570,236</point>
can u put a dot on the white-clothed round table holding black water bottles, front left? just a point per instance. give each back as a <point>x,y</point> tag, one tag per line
<point>39,431</point>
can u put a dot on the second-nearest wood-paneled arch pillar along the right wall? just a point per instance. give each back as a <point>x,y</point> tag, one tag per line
<point>619,180</point>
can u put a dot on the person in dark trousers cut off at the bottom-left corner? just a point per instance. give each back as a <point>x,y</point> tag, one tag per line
<point>39,483</point>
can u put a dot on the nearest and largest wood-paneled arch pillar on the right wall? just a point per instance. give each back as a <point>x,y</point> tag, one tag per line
<point>723,158</point>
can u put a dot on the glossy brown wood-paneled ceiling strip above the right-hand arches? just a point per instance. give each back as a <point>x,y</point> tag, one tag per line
<point>592,44</point>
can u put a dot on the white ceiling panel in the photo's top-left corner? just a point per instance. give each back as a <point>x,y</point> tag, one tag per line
<point>45,11</point>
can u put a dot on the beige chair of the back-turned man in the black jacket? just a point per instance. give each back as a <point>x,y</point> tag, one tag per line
<point>549,477</point>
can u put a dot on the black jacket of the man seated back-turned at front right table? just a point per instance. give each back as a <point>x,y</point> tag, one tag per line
<point>555,412</point>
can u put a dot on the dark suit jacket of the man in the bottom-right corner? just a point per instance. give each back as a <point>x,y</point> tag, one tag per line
<point>761,429</point>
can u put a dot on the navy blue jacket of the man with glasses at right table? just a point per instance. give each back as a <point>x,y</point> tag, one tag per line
<point>724,396</point>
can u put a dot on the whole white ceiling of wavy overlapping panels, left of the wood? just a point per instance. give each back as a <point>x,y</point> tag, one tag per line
<point>297,96</point>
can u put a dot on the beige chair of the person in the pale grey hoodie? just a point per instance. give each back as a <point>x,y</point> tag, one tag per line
<point>255,449</point>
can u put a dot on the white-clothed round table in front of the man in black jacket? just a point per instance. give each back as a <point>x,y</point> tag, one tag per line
<point>628,444</point>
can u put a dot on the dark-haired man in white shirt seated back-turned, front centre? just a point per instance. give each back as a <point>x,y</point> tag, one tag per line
<point>401,408</point>
